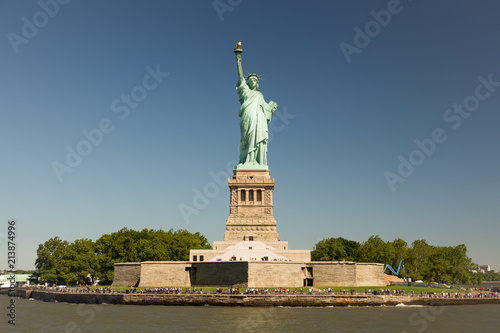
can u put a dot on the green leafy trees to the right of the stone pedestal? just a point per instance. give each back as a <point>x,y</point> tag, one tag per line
<point>444,264</point>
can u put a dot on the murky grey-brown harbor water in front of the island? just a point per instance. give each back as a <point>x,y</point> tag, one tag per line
<point>39,316</point>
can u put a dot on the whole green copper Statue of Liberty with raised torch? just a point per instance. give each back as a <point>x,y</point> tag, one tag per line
<point>255,114</point>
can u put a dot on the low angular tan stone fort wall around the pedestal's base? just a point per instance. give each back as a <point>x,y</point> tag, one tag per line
<point>243,274</point>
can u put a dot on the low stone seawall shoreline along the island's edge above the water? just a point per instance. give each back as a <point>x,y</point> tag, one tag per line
<point>253,300</point>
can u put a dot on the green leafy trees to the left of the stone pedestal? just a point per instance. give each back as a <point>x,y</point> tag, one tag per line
<point>85,261</point>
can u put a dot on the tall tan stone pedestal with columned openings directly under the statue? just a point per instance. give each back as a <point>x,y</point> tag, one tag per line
<point>251,207</point>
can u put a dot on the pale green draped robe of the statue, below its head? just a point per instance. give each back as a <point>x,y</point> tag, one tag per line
<point>255,114</point>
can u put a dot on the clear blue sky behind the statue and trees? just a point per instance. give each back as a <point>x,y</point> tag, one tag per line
<point>345,118</point>
